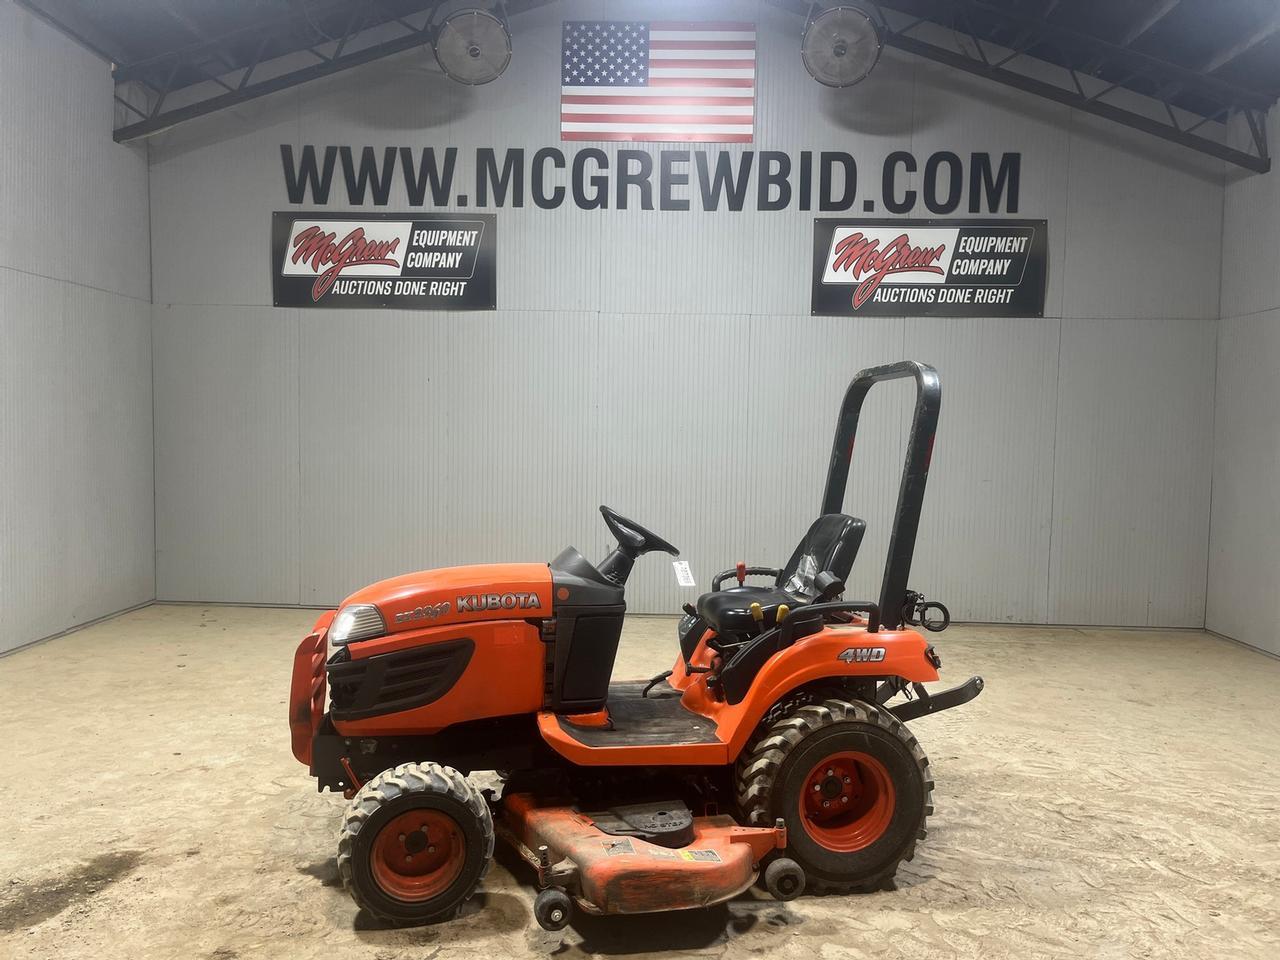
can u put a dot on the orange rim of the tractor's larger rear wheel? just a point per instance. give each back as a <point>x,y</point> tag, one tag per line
<point>848,802</point>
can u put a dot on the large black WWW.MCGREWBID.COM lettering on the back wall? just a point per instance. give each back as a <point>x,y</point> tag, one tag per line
<point>589,179</point>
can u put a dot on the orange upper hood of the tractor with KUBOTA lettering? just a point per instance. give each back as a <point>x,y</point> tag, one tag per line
<point>461,595</point>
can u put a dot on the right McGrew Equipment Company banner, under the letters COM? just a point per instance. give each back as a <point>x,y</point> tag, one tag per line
<point>932,268</point>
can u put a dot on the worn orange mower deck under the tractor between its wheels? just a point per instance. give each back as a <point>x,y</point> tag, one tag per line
<point>620,874</point>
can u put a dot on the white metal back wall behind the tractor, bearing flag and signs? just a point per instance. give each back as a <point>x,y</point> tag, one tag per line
<point>666,364</point>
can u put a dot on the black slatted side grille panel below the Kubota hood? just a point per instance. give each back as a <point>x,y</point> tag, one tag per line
<point>401,680</point>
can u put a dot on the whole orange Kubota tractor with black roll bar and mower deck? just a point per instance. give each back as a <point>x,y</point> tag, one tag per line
<point>774,751</point>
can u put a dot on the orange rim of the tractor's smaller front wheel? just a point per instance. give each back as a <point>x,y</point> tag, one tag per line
<point>418,856</point>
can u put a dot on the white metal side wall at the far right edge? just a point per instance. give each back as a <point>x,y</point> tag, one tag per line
<point>1245,547</point>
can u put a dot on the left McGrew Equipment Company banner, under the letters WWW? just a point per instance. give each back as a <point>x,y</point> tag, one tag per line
<point>408,262</point>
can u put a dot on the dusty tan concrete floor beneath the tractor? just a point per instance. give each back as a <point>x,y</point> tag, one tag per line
<point>1113,794</point>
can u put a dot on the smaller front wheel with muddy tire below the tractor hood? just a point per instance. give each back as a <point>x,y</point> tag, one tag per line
<point>415,844</point>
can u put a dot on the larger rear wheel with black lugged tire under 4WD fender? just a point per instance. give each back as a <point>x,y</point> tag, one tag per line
<point>853,787</point>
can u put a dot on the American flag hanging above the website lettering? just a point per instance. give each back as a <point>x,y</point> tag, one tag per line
<point>662,81</point>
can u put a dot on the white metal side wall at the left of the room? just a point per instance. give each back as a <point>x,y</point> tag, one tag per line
<point>76,456</point>
